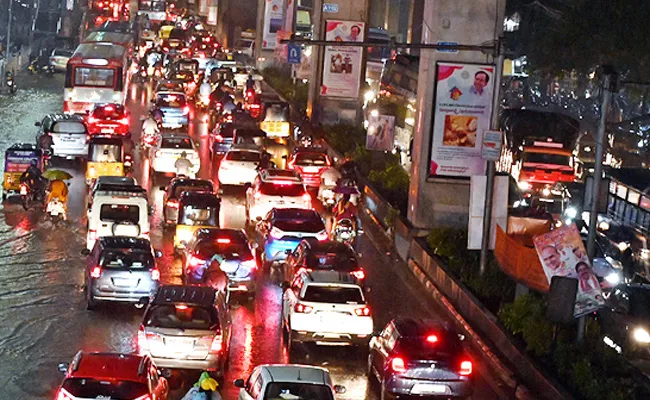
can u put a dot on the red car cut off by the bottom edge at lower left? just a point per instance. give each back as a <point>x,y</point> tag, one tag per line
<point>112,376</point>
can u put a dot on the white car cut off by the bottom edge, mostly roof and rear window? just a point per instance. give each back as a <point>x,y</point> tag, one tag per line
<point>288,381</point>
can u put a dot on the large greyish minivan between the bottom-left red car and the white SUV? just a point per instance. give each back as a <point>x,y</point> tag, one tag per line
<point>187,327</point>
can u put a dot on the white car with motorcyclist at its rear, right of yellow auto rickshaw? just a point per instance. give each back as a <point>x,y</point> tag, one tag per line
<point>168,149</point>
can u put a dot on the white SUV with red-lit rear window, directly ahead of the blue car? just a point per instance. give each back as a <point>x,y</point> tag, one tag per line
<point>275,188</point>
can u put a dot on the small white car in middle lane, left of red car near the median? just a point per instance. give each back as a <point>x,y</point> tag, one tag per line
<point>239,166</point>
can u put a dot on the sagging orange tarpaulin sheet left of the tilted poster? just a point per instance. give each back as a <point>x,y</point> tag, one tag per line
<point>520,262</point>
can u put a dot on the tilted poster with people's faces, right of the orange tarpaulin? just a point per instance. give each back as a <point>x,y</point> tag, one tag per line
<point>562,253</point>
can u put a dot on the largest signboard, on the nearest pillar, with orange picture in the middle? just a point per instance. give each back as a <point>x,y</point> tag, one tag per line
<point>462,110</point>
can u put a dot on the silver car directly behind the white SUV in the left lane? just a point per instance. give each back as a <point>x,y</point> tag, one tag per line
<point>121,269</point>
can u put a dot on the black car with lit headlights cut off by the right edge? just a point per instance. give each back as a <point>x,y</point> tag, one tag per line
<point>625,319</point>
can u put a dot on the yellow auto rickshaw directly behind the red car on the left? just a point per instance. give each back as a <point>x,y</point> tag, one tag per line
<point>105,158</point>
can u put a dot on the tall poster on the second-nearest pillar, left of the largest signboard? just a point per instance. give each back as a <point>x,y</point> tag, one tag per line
<point>342,65</point>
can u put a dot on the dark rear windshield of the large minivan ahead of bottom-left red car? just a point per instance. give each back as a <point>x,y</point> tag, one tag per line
<point>182,316</point>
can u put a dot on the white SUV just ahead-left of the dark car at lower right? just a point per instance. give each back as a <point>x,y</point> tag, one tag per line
<point>325,307</point>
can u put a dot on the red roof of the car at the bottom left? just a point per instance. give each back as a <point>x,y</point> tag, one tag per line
<point>127,367</point>
